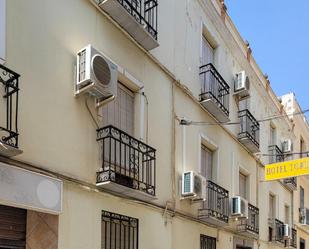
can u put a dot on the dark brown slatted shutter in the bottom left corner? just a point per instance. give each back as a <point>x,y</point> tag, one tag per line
<point>12,227</point>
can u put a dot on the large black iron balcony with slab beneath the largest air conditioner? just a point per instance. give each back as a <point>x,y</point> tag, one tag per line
<point>129,165</point>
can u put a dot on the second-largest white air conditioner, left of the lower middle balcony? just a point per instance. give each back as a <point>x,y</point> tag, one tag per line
<point>193,186</point>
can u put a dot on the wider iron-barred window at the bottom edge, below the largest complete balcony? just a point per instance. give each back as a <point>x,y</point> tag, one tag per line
<point>118,231</point>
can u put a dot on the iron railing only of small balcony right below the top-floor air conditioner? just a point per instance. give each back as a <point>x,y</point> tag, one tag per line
<point>249,127</point>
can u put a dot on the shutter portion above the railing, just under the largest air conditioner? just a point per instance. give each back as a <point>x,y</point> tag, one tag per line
<point>120,112</point>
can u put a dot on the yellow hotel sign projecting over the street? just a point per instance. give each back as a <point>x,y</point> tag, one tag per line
<point>287,169</point>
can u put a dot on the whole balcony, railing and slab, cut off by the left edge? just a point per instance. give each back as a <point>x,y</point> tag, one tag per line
<point>9,111</point>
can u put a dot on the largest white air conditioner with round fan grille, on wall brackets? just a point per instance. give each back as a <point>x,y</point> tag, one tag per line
<point>96,74</point>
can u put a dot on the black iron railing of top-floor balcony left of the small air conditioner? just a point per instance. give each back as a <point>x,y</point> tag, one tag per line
<point>214,87</point>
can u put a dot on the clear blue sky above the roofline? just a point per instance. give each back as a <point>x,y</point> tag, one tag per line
<point>278,32</point>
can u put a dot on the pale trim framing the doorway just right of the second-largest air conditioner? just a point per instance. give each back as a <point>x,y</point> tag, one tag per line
<point>203,139</point>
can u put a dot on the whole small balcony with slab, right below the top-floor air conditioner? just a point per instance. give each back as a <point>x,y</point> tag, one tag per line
<point>249,134</point>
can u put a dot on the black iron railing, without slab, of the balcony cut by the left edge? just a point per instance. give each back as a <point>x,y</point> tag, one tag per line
<point>8,128</point>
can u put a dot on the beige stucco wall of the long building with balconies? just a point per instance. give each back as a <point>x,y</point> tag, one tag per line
<point>58,134</point>
